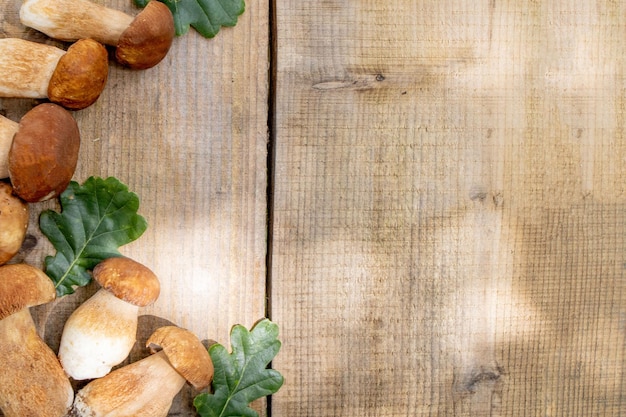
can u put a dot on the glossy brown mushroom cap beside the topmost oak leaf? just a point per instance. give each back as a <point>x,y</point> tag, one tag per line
<point>148,38</point>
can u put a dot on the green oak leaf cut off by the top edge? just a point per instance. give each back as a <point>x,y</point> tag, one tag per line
<point>206,16</point>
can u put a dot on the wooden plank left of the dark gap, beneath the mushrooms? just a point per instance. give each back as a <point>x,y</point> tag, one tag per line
<point>190,138</point>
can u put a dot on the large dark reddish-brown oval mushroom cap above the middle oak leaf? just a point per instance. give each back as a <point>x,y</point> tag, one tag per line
<point>44,153</point>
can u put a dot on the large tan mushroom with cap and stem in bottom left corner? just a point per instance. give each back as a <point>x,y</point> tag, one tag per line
<point>32,382</point>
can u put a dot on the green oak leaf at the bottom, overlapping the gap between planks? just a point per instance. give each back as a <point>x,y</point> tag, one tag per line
<point>242,376</point>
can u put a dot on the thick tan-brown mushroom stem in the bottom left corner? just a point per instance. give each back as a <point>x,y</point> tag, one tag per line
<point>32,382</point>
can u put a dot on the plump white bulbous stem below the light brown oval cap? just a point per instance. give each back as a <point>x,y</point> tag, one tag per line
<point>98,335</point>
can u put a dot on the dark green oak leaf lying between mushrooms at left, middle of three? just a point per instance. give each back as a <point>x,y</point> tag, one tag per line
<point>96,219</point>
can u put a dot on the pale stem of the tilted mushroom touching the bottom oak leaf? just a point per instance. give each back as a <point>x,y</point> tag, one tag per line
<point>145,388</point>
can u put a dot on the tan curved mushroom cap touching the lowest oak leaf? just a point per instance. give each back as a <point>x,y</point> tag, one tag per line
<point>186,354</point>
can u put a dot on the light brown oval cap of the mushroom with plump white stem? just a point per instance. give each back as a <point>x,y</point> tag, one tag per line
<point>128,280</point>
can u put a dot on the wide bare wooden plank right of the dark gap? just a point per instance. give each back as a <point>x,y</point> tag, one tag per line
<point>448,224</point>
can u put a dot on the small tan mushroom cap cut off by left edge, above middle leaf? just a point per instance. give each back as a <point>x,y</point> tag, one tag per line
<point>13,222</point>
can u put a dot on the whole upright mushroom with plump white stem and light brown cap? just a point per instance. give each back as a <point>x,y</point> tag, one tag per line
<point>100,333</point>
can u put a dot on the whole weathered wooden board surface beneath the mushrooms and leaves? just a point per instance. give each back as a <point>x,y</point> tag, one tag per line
<point>445,233</point>
